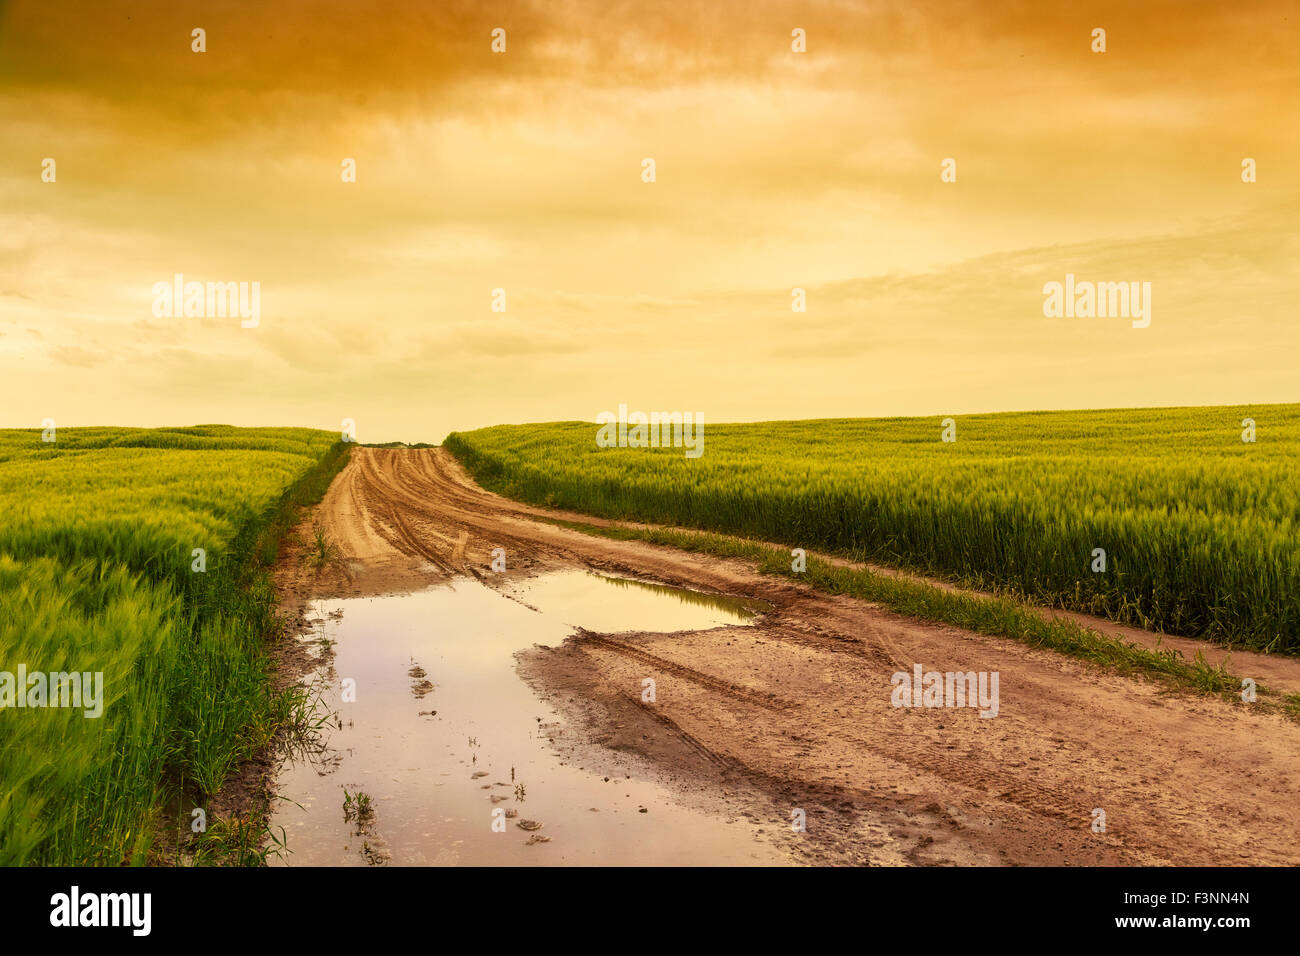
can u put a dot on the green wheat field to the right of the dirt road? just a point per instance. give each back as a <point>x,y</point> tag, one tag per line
<point>1202,531</point>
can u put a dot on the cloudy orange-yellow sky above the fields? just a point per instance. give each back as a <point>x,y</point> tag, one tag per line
<point>523,171</point>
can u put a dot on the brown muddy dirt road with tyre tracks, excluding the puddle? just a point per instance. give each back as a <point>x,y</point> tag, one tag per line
<point>795,713</point>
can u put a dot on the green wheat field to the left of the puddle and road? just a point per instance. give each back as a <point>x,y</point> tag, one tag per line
<point>97,574</point>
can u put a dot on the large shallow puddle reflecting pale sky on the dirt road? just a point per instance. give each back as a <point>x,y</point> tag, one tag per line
<point>443,733</point>
